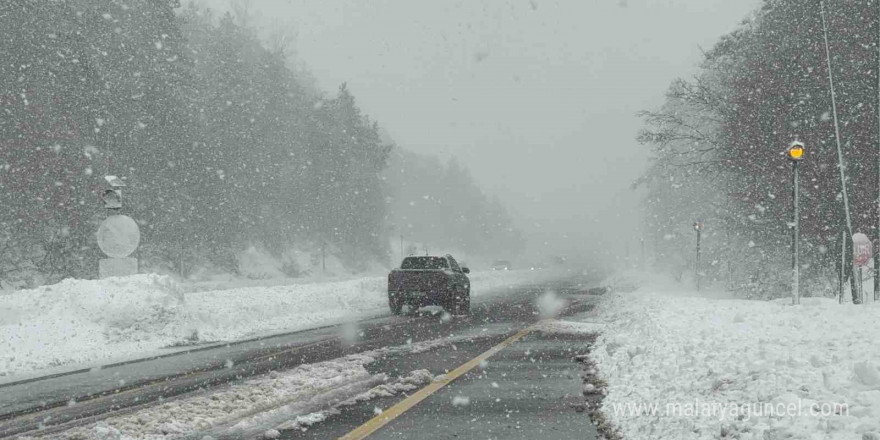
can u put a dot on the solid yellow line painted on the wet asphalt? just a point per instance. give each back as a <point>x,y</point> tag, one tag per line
<point>401,407</point>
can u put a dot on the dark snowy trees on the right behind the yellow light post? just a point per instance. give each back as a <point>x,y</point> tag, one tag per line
<point>718,145</point>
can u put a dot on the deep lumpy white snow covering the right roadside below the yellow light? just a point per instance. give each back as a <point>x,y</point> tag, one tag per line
<point>680,365</point>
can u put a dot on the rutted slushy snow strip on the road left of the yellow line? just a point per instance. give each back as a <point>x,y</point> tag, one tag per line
<point>249,409</point>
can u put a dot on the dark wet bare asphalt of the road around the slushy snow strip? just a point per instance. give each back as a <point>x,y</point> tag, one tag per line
<point>531,388</point>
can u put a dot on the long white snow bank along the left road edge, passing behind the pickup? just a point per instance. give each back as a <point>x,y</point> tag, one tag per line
<point>82,323</point>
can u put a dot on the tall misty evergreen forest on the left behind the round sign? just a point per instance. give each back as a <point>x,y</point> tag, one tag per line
<point>221,142</point>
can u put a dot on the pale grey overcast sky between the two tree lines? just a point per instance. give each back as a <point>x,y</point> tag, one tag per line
<point>537,97</point>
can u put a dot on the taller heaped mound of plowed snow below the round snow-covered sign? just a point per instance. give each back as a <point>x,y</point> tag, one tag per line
<point>78,321</point>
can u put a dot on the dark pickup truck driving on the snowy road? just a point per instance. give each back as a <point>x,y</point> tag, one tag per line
<point>427,281</point>
